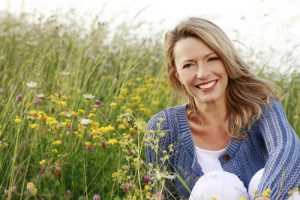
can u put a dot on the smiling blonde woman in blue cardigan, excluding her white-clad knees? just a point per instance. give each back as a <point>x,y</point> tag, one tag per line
<point>232,120</point>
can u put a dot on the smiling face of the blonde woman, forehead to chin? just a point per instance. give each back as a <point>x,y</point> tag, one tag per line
<point>200,70</point>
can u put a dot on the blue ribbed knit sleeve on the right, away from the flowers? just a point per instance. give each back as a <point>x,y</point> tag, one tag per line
<point>282,170</point>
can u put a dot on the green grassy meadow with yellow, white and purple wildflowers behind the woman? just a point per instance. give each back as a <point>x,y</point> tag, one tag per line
<point>74,106</point>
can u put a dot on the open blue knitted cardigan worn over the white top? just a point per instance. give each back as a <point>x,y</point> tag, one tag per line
<point>271,144</point>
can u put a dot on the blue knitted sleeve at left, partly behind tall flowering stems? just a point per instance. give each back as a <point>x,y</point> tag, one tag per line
<point>159,155</point>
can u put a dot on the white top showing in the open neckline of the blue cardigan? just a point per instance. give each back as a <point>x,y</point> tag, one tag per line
<point>209,160</point>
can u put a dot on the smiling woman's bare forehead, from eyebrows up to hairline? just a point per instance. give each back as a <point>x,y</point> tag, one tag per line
<point>189,48</point>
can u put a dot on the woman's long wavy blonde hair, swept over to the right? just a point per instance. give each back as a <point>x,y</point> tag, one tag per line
<point>246,94</point>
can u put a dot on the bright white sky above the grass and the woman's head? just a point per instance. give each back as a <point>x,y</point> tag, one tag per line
<point>259,23</point>
